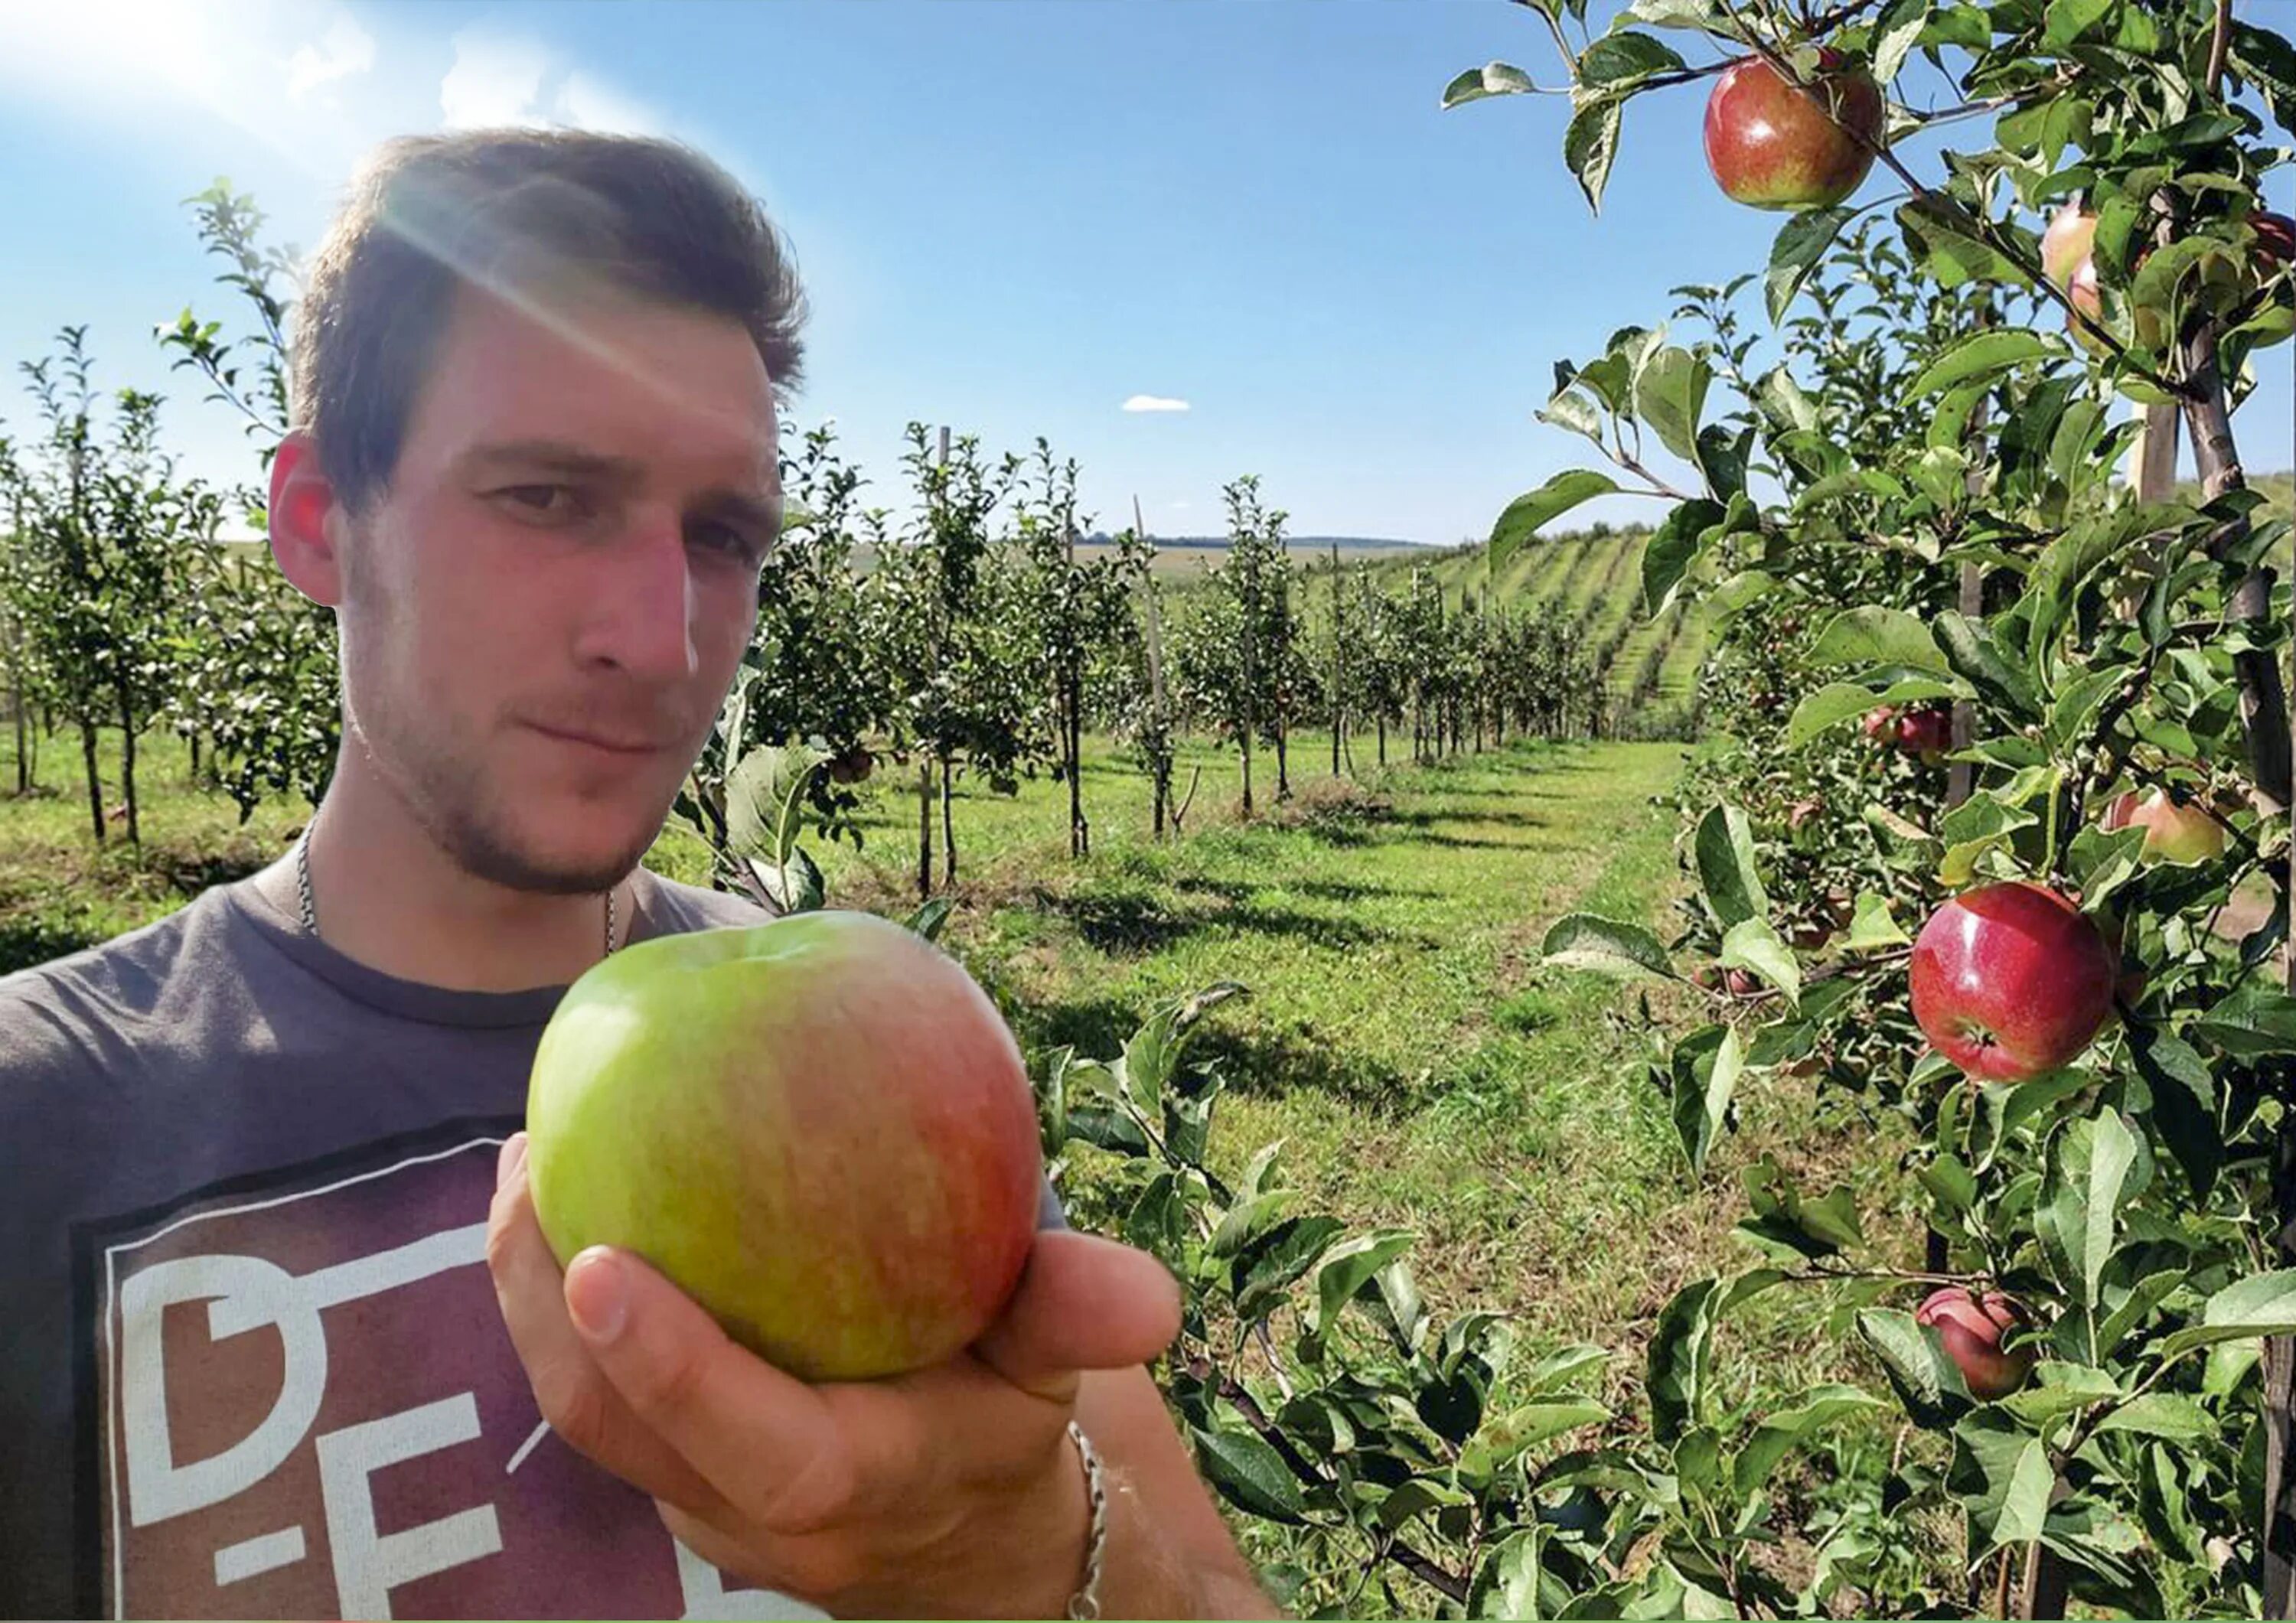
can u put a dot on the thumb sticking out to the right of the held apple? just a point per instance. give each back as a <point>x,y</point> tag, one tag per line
<point>1083,1305</point>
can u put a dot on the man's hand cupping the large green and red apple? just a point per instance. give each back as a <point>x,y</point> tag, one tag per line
<point>943,1493</point>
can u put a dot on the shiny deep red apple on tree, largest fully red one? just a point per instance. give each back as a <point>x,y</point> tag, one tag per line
<point>2012,981</point>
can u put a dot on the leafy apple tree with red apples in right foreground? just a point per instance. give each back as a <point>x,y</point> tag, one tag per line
<point>2031,701</point>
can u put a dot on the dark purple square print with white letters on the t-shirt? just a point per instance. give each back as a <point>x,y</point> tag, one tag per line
<point>300,1401</point>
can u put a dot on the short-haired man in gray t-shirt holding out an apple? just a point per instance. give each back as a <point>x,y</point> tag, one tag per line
<point>284,1335</point>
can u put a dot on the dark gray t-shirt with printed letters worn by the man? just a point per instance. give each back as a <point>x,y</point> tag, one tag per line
<point>254,1365</point>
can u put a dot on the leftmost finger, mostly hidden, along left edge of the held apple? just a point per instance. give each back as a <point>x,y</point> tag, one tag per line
<point>573,1395</point>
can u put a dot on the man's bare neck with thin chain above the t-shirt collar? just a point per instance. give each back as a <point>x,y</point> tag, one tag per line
<point>401,906</point>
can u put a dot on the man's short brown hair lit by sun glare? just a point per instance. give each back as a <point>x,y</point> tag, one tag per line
<point>435,212</point>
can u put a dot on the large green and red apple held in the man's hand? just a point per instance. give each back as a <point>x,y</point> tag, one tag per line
<point>819,1128</point>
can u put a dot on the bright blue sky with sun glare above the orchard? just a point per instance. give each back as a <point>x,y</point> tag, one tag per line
<point>1014,217</point>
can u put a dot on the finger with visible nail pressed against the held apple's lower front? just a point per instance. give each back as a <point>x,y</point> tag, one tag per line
<point>759,1436</point>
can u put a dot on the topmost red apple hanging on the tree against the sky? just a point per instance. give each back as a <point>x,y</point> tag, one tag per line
<point>1778,146</point>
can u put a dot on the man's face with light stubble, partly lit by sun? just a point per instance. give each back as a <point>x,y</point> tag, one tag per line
<point>571,545</point>
